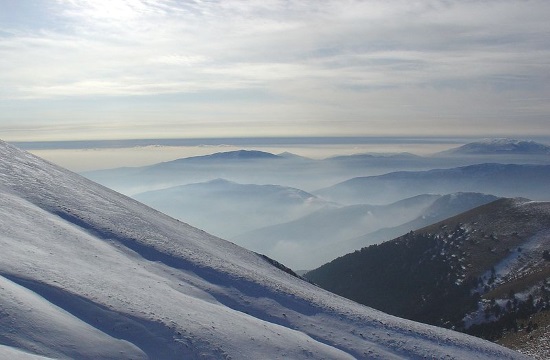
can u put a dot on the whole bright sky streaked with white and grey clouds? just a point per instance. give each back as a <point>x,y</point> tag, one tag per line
<point>106,69</point>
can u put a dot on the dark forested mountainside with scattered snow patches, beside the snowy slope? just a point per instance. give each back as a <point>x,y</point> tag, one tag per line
<point>485,272</point>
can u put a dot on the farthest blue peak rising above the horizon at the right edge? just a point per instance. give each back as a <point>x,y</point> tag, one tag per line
<point>500,147</point>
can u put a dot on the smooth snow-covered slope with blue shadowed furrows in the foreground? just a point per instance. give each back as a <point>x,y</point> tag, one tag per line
<point>90,274</point>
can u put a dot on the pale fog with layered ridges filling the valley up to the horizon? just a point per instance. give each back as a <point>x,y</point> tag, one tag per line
<point>303,210</point>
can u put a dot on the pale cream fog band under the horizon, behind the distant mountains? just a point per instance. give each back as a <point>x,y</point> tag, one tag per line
<point>89,156</point>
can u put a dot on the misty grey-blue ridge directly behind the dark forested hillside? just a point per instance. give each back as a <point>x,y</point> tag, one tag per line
<point>312,240</point>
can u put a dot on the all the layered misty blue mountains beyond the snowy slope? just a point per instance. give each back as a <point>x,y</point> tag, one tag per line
<point>304,229</point>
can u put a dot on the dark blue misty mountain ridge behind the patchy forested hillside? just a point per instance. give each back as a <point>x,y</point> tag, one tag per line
<point>504,180</point>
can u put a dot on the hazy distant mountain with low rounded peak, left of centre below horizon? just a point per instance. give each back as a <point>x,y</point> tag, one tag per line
<point>242,166</point>
